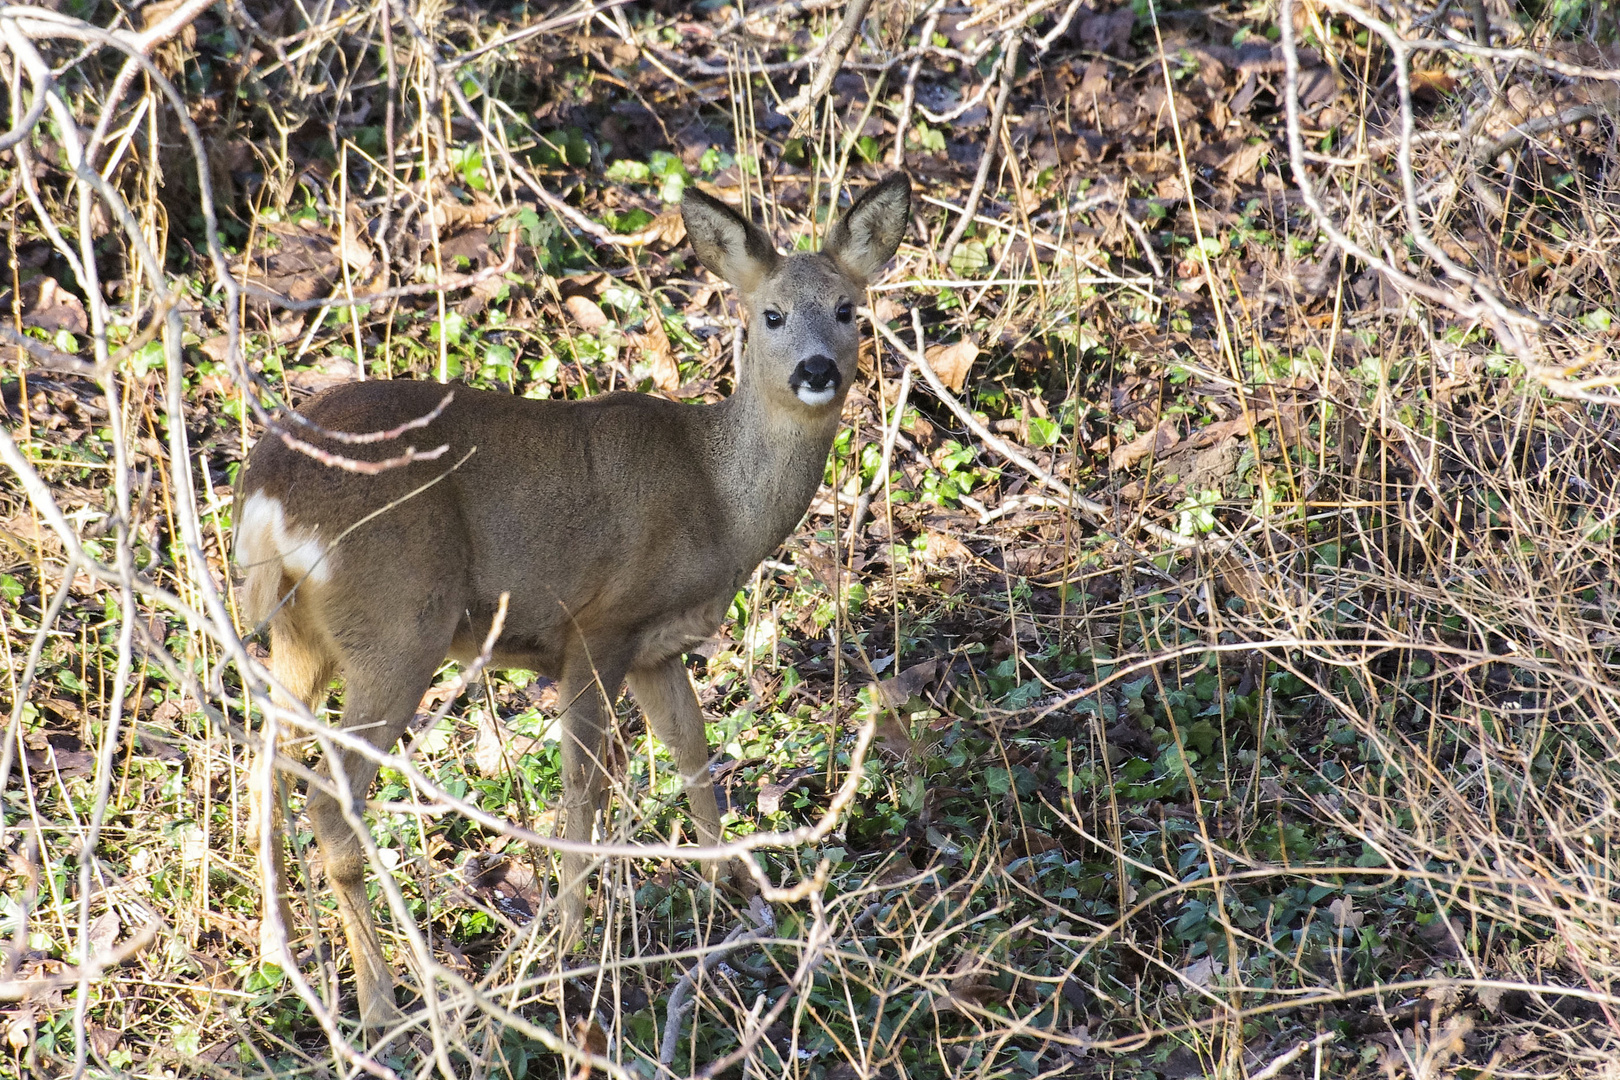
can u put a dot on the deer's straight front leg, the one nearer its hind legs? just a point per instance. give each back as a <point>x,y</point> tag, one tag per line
<point>586,694</point>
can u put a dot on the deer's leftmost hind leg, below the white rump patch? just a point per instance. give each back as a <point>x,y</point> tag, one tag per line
<point>304,671</point>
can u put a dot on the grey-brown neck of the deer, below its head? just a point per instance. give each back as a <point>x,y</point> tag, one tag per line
<point>770,462</point>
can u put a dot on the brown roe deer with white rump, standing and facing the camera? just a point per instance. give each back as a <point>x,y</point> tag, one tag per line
<point>621,527</point>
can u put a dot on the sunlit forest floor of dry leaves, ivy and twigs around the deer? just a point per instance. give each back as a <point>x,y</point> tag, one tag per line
<point>1217,674</point>
